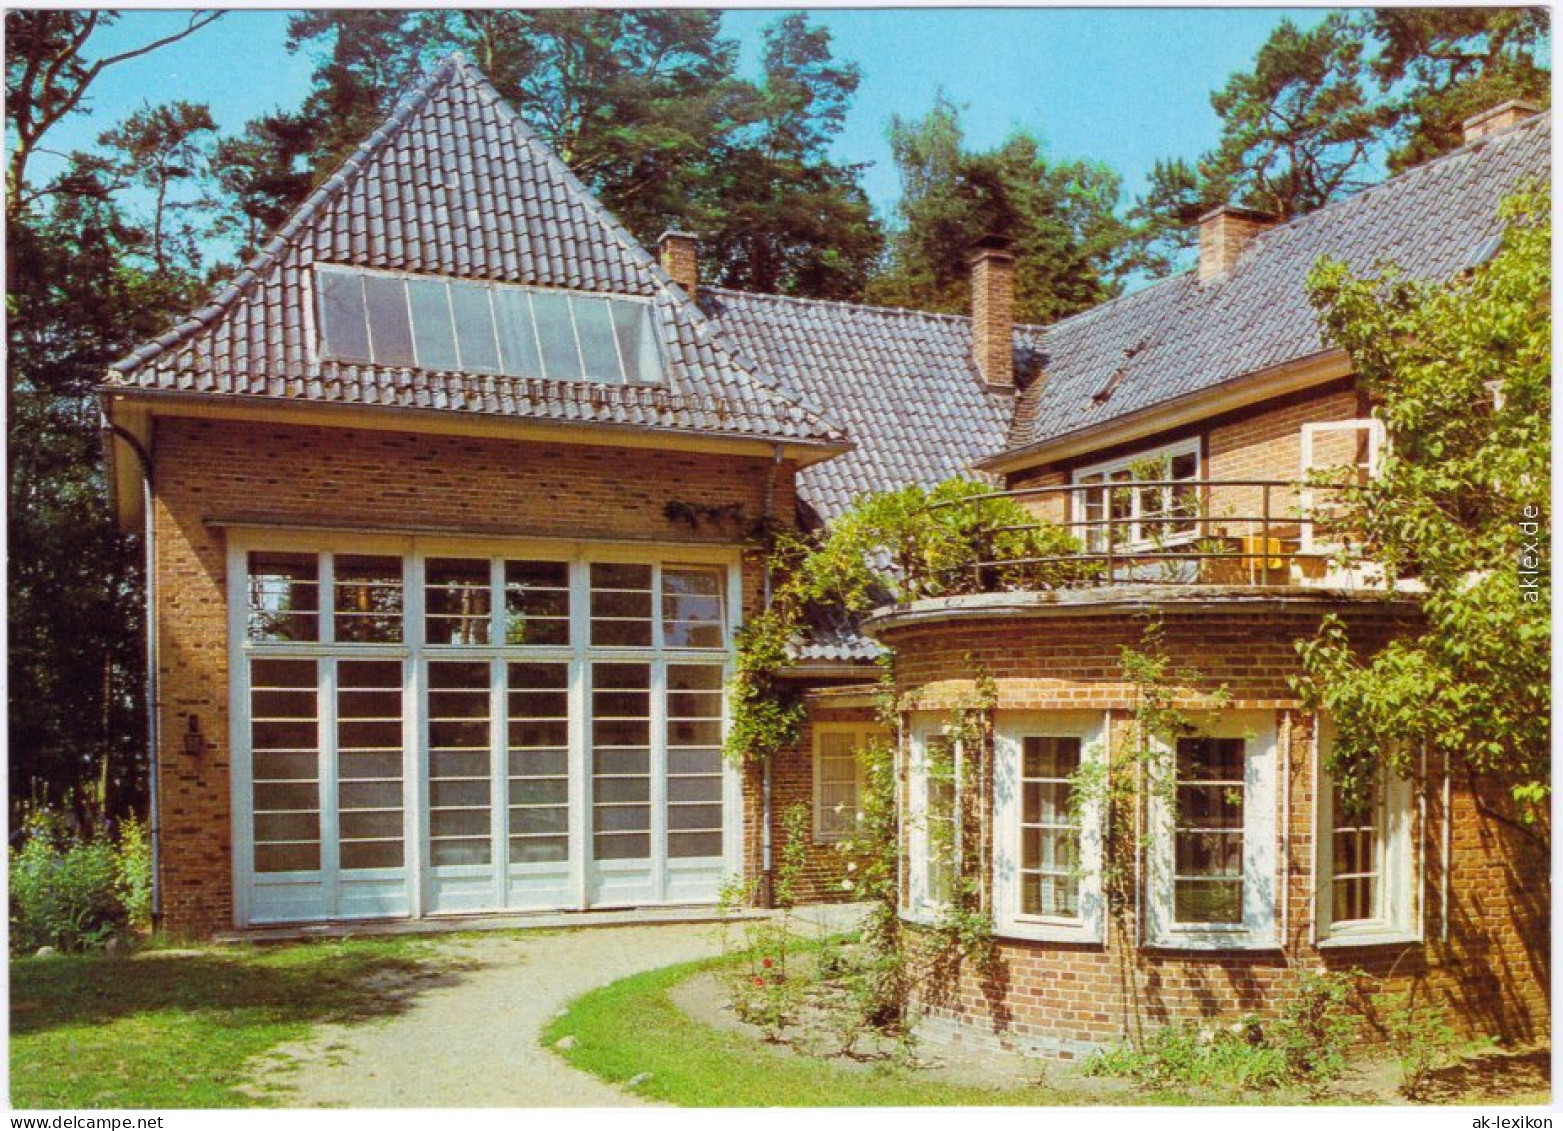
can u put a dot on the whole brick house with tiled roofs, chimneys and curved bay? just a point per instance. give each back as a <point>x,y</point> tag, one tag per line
<point>448,507</point>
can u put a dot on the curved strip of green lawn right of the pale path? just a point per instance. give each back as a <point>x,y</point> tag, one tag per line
<point>632,1027</point>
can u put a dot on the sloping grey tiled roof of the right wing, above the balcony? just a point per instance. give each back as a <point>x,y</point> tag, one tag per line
<point>1181,337</point>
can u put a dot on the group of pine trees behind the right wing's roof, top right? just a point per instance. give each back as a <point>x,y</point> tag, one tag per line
<point>1325,110</point>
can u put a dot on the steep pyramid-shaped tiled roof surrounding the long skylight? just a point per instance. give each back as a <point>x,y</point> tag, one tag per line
<point>457,185</point>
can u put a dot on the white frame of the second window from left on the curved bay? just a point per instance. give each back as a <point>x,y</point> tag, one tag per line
<point>1010,732</point>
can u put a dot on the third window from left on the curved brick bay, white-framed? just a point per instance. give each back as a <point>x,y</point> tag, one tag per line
<point>1212,858</point>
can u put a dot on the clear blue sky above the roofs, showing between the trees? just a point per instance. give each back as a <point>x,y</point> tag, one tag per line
<point>1125,87</point>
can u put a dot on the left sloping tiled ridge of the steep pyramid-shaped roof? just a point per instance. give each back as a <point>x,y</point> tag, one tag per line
<point>276,248</point>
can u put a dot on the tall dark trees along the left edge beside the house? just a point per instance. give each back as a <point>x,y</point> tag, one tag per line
<point>87,282</point>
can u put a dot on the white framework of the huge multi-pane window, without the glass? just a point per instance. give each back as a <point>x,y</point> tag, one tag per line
<point>417,876</point>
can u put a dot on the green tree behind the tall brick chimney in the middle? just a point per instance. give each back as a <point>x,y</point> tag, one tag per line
<point>1059,213</point>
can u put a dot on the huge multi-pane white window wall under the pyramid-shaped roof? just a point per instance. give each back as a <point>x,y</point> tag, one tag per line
<point>451,726</point>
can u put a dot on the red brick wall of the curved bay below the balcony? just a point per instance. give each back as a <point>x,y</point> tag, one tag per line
<point>1490,972</point>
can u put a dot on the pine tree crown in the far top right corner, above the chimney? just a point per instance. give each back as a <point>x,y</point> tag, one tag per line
<point>1443,65</point>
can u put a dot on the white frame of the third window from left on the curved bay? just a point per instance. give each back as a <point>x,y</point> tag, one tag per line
<point>1261,838</point>
